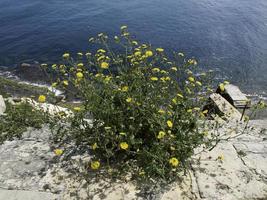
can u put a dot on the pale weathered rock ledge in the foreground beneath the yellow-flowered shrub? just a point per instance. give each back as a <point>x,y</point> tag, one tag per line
<point>234,169</point>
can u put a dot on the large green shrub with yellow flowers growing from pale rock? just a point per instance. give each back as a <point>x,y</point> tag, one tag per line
<point>145,107</point>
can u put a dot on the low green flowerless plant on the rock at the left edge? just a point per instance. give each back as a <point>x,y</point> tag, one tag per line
<point>18,118</point>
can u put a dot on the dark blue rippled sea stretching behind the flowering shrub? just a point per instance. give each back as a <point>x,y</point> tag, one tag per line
<point>228,36</point>
